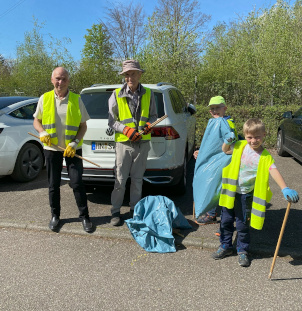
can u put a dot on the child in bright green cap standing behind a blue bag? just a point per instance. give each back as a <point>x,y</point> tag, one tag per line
<point>217,108</point>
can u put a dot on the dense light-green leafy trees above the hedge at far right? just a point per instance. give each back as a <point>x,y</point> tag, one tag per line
<point>256,60</point>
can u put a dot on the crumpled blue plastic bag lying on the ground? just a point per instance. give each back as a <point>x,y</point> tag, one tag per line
<point>153,221</point>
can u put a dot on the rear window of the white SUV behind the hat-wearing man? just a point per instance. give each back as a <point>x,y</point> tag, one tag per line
<point>96,104</point>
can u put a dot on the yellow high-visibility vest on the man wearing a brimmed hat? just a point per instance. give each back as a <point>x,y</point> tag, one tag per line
<point>125,116</point>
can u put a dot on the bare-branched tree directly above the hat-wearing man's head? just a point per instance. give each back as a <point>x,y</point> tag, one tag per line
<point>125,26</point>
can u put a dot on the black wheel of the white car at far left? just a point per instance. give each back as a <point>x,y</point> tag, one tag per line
<point>29,163</point>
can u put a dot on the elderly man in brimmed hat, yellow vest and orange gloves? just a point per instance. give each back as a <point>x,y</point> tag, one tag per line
<point>131,109</point>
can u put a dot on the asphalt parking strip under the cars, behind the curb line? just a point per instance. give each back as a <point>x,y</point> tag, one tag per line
<point>25,205</point>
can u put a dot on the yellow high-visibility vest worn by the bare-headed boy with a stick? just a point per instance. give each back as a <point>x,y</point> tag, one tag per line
<point>262,193</point>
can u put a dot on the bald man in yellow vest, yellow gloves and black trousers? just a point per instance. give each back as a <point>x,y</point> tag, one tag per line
<point>60,119</point>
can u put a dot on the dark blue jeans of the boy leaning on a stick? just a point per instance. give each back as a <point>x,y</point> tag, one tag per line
<point>241,214</point>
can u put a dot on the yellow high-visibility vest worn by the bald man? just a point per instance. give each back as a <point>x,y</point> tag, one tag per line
<point>73,117</point>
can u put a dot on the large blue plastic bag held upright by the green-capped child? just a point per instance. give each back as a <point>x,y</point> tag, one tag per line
<point>208,167</point>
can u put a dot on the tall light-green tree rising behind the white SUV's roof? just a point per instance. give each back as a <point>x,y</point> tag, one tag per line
<point>174,45</point>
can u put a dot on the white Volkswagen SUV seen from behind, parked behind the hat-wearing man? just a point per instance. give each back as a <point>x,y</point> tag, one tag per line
<point>172,140</point>
